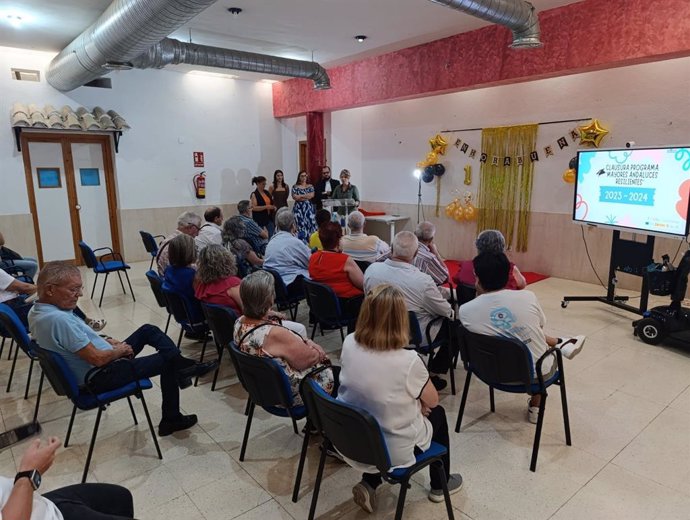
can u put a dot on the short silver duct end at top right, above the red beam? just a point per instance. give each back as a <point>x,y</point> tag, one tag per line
<point>518,15</point>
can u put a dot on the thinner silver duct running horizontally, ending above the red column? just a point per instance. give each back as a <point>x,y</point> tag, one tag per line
<point>174,52</point>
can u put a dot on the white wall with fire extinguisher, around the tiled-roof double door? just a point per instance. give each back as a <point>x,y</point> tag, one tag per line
<point>171,115</point>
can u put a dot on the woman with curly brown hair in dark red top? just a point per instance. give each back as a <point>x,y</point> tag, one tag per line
<point>216,278</point>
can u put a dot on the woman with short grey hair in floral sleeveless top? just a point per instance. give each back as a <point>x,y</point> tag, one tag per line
<point>260,332</point>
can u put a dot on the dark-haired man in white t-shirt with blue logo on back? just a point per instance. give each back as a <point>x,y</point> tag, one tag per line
<point>497,311</point>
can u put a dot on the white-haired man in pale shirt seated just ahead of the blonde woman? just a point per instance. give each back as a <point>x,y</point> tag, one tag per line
<point>421,296</point>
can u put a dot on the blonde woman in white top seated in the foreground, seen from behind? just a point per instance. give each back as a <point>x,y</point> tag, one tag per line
<point>404,402</point>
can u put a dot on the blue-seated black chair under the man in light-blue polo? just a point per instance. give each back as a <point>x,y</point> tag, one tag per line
<point>64,383</point>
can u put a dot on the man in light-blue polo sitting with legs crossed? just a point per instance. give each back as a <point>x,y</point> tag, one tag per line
<point>56,328</point>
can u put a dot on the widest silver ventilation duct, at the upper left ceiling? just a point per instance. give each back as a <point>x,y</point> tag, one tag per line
<point>125,30</point>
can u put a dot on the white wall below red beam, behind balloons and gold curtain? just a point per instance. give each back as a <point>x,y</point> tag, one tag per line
<point>645,103</point>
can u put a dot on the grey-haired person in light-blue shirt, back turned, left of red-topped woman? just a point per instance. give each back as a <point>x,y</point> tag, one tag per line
<point>286,253</point>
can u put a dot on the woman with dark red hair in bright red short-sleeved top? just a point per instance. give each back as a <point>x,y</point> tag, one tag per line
<point>334,268</point>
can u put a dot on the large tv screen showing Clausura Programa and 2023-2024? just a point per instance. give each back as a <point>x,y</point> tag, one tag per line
<point>640,190</point>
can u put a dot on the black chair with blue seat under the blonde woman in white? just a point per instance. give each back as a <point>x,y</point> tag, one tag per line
<point>356,435</point>
